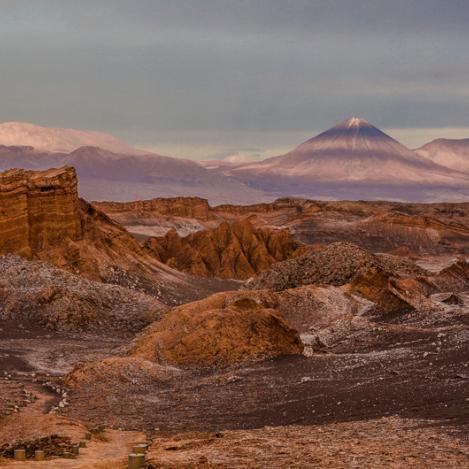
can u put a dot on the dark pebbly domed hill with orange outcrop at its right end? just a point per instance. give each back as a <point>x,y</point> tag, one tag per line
<point>393,285</point>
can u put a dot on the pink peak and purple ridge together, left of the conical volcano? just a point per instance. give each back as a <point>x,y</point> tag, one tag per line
<point>121,175</point>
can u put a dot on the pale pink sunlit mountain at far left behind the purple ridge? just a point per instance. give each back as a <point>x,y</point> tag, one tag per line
<point>50,139</point>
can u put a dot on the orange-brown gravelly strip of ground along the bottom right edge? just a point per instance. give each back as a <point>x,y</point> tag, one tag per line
<point>385,443</point>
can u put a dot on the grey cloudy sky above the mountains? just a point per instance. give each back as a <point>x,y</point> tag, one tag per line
<point>210,79</point>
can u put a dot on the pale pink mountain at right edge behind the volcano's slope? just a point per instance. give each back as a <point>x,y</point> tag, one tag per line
<point>448,152</point>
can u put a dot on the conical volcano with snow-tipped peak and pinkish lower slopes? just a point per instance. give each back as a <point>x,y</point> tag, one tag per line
<point>354,160</point>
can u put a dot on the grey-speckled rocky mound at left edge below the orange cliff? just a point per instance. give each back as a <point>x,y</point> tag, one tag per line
<point>37,293</point>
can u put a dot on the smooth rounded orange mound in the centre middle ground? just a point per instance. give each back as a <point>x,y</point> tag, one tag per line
<point>211,333</point>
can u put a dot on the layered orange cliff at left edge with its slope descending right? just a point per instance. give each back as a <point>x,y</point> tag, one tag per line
<point>41,217</point>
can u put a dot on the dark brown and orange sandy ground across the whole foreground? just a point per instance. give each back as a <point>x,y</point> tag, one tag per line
<point>384,395</point>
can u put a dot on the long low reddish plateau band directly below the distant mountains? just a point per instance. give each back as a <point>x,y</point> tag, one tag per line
<point>416,229</point>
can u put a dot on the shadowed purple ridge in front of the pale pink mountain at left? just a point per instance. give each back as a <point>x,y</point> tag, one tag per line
<point>105,175</point>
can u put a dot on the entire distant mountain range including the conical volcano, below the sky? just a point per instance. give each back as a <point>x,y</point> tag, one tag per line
<point>352,160</point>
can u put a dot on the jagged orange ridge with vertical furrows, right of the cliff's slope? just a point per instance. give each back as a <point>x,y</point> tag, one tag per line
<point>237,250</point>
